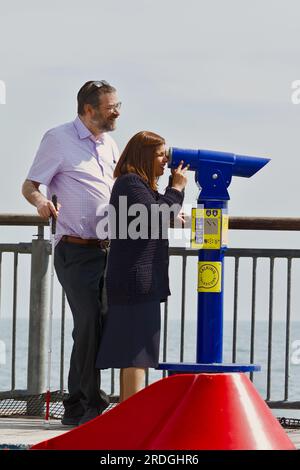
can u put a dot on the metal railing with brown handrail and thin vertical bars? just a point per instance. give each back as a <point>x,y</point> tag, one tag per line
<point>40,251</point>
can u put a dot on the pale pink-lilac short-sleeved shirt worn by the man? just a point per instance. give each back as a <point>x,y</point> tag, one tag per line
<point>79,170</point>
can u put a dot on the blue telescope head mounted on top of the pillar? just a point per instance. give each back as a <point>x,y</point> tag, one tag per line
<point>214,169</point>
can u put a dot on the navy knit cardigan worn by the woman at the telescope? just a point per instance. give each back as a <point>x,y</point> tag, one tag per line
<point>138,269</point>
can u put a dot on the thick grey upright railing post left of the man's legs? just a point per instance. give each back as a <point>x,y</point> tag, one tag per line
<point>38,315</point>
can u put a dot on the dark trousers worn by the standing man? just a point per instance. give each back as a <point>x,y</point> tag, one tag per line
<point>81,270</point>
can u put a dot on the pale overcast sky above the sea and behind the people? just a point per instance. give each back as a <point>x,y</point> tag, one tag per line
<point>213,75</point>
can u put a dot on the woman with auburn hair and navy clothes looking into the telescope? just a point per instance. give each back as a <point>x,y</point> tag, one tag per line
<point>137,272</point>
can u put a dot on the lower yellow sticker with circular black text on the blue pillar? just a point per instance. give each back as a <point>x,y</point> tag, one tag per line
<point>209,276</point>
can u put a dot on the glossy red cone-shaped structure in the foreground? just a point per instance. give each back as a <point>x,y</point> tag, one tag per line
<point>195,412</point>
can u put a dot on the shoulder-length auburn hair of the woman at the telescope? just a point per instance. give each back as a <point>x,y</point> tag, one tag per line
<point>138,157</point>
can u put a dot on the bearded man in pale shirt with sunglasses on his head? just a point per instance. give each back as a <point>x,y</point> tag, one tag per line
<point>76,162</point>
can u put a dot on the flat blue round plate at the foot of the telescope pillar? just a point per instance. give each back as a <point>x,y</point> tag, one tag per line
<point>196,368</point>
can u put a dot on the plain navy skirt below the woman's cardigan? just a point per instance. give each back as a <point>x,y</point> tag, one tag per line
<point>131,336</point>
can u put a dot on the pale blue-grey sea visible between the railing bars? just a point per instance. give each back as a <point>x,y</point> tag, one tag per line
<point>173,355</point>
